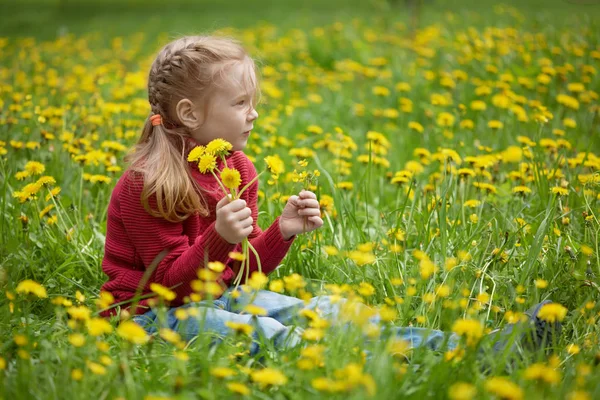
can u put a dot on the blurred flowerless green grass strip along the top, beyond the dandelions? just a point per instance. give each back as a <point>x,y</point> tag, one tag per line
<point>47,19</point>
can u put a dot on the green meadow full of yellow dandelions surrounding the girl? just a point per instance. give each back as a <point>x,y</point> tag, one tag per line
<point>457,168</point>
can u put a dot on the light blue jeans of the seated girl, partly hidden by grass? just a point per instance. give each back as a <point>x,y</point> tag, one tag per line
<point>278,325</point>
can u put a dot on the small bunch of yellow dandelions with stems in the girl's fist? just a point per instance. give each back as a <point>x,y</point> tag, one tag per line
<point>229,180</point>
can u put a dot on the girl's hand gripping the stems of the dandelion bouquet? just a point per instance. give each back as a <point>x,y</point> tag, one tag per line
<point>234,221</point>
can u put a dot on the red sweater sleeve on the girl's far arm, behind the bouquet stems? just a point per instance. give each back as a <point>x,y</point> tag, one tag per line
<point>270,245</point>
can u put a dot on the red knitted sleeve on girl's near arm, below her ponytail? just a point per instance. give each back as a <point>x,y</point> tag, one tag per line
<point>151,235</point>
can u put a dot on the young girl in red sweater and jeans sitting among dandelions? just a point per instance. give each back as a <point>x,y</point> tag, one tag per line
<point>166,220</point>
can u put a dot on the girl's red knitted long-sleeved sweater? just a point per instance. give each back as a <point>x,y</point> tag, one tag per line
<point>134,238</point>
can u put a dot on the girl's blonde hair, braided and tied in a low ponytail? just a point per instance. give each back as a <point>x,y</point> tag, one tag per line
<point>187,68</point>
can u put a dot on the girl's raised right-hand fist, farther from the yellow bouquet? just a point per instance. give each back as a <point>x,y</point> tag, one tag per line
<point>301,214</point>
